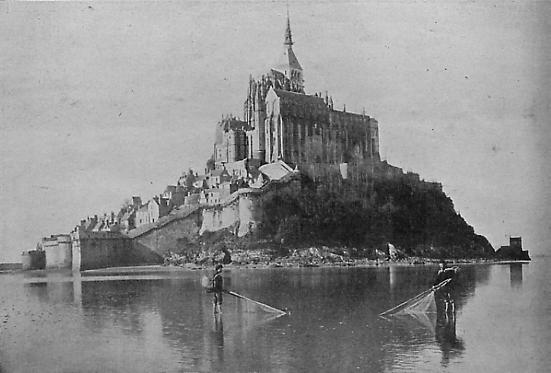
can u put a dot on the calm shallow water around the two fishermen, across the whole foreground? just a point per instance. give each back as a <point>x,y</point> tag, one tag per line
<point>164,322</point>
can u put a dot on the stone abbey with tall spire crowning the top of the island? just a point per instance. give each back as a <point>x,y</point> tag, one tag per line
<point>282,122</point>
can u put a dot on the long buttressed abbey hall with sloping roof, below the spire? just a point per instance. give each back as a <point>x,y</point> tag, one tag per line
<point>304,129</point>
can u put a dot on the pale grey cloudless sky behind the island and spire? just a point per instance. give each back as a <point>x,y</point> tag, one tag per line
<point>100,101</point>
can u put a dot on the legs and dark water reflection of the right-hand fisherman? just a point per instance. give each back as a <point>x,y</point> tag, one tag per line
<point>444,330</point>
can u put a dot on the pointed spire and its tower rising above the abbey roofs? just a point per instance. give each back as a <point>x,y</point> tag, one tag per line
<point>287,72</point>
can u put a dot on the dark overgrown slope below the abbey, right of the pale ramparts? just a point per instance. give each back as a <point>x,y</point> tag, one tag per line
<point>416,216</point>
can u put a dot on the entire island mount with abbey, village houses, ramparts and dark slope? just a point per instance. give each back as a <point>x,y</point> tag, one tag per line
<point>292,176</point>
